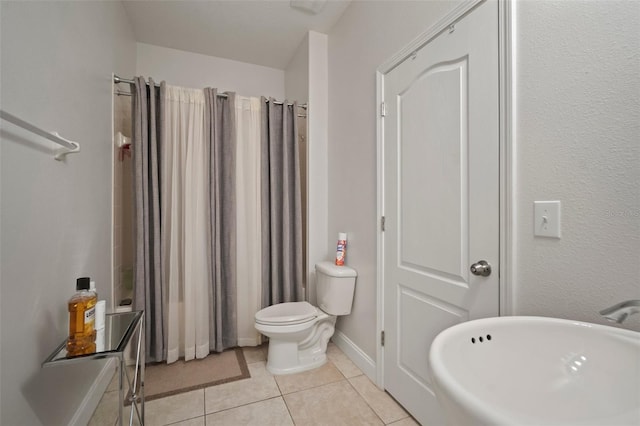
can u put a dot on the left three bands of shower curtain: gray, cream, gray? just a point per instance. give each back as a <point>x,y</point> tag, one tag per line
<point>164,152</point>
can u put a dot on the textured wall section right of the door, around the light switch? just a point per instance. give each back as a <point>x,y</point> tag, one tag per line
<point>578,141</point>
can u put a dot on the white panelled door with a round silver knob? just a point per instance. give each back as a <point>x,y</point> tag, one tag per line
<point>441,199</point>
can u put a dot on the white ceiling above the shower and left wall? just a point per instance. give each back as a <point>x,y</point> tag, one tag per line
<point>262,32</point>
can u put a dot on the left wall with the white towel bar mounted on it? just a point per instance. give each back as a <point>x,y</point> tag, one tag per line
<point>57,60</point>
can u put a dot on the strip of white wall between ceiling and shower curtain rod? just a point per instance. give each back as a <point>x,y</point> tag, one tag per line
<point>187,69</point>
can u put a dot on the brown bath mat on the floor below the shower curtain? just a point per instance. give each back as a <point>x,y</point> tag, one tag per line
<point>162,379</point>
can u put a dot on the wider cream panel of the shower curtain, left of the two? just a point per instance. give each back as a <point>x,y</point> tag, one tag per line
<point>185,215</point>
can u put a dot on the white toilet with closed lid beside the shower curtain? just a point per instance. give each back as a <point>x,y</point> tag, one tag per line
<point>298,332</point>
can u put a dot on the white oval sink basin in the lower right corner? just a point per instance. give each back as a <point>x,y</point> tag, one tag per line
<point>537,371</point>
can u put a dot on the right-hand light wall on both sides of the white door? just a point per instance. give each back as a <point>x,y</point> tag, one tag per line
<point>577,135</point>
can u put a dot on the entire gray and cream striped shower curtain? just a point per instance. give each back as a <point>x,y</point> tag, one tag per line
<point>218,228</point>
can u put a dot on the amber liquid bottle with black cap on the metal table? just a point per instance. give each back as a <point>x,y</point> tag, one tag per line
<point>82,332</point>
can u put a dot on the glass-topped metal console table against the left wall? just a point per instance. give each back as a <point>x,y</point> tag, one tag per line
<point>119,332</point>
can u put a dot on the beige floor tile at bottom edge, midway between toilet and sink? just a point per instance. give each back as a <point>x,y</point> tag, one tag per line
<point>333,404</point>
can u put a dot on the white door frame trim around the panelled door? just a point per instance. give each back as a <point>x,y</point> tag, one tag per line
<point>507,160</point>
